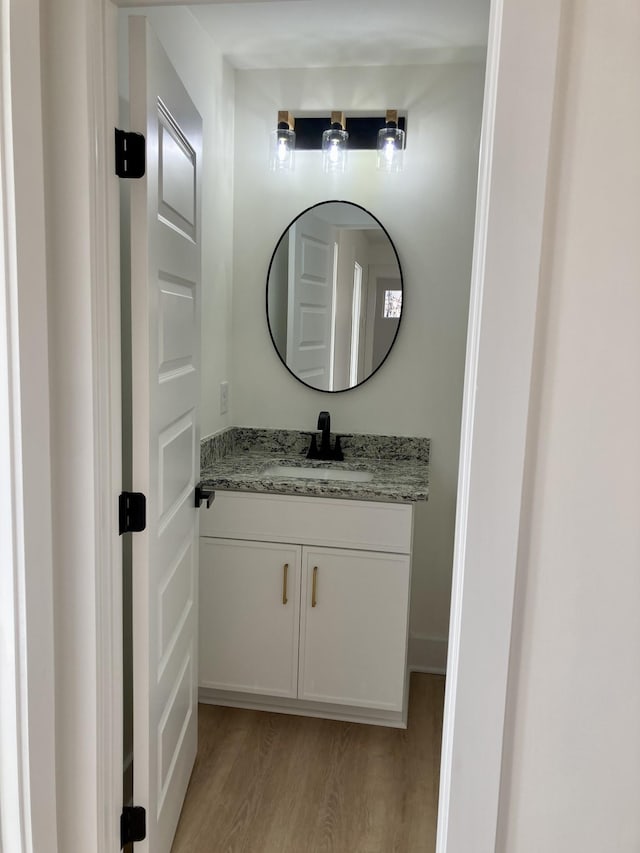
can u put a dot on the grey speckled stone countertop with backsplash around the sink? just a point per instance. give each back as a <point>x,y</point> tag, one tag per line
<point>237,459</point>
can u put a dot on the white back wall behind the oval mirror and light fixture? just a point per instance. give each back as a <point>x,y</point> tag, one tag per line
<point>428,211</point>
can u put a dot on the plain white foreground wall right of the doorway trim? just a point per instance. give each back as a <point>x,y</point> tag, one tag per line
<point>572,767</point>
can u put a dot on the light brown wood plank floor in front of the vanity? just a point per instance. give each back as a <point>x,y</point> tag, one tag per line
<point>274,783</point>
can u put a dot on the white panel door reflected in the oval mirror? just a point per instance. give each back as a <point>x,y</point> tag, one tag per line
<point>311,297</point>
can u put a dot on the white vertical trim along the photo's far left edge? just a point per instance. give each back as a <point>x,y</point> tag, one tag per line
<point>27,769</point>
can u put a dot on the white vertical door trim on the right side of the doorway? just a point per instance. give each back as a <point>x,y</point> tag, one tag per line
<point>520,83</point>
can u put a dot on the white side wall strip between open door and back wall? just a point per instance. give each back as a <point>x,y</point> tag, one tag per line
<point>210,82</point>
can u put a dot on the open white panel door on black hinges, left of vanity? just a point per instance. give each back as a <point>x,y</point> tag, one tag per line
<point>165,299</point>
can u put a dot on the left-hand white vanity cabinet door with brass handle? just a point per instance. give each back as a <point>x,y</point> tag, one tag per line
<point>249,616</point>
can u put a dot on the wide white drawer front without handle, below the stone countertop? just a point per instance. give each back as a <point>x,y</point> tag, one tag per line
<point>365,525</point>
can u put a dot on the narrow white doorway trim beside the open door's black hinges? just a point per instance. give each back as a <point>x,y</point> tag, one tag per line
<point>105,265</point>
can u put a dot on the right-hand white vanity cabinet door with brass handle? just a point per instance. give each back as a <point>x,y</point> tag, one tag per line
<point>353,628</point>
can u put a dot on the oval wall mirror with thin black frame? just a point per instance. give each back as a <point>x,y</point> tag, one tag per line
<point>334,296</point>
